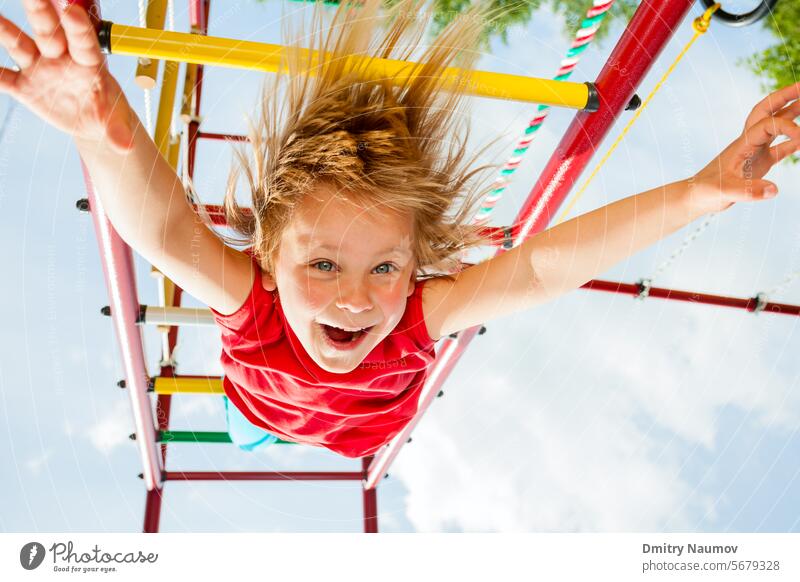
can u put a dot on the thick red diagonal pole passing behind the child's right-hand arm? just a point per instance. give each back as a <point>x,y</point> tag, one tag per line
<point>651,27</point>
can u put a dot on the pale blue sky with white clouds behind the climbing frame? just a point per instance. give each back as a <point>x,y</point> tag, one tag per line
<point>591,413</point>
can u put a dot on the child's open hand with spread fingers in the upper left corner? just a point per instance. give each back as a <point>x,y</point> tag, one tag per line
<point>63,77</point>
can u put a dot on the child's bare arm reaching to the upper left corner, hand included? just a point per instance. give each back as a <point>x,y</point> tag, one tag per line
<point>63,78</point>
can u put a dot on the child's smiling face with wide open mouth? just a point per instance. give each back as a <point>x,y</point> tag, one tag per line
<point>345,266</point>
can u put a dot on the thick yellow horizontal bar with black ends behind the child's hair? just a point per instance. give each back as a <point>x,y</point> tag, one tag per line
<point>234,53</point>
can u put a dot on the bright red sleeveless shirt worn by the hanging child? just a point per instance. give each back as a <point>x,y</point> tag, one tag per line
<point>276,385</point>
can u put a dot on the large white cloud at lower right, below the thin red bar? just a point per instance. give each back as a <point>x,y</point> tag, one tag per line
<point>585,425</point>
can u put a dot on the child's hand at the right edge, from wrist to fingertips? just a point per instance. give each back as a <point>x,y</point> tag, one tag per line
<point>736,174</point>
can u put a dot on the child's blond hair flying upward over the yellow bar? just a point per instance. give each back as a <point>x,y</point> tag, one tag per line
<point>395,147</point>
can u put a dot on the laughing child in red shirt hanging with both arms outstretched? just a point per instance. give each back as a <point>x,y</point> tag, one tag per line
<point>359,199</point>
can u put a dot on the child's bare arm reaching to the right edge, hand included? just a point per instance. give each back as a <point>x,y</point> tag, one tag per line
<point>570,254</point>
